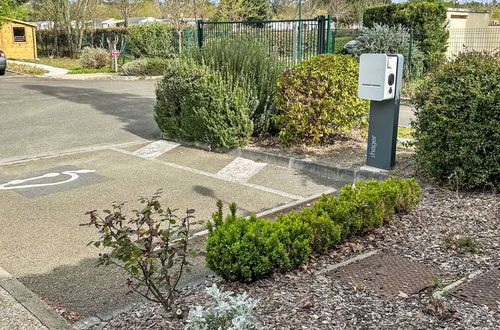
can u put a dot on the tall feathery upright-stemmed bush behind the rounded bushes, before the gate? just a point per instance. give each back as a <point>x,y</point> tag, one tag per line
<point>247,61</point>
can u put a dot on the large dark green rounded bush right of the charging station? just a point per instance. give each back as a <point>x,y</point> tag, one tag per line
<point>457,122</point>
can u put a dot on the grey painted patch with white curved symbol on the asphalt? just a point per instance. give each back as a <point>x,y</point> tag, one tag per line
<point>50,181</point>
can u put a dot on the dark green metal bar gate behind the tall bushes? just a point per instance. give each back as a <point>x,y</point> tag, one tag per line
<point>290,40</point>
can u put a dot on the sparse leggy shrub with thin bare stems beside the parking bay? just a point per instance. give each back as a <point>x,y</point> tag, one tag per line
<point>147,245</point>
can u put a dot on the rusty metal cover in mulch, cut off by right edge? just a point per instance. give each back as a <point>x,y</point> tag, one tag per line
<point>482,290</point>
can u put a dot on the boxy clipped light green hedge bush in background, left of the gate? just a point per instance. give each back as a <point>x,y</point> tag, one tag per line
<point>152,39</point>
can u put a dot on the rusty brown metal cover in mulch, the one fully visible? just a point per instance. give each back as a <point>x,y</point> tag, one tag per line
<point>388,274</point>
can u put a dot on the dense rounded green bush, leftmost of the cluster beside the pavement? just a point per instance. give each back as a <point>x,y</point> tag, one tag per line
<point>193,103</point>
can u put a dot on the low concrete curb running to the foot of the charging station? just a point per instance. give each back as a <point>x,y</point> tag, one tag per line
<point>317,167</point>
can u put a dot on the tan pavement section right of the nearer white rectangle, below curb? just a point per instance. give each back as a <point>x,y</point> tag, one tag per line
<point>293,181</point>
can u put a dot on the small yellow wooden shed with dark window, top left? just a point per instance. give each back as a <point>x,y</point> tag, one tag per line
<point>18,39</point>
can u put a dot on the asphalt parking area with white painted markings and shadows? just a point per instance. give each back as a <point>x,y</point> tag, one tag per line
<point>68,147</point>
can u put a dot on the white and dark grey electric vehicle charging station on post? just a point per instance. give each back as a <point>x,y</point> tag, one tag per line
<point>380,78</point>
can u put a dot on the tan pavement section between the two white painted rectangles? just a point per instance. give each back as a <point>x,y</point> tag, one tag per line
<point>196,158</point>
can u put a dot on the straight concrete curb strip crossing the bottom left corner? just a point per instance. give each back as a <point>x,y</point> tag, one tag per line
<point>44,313</point>
